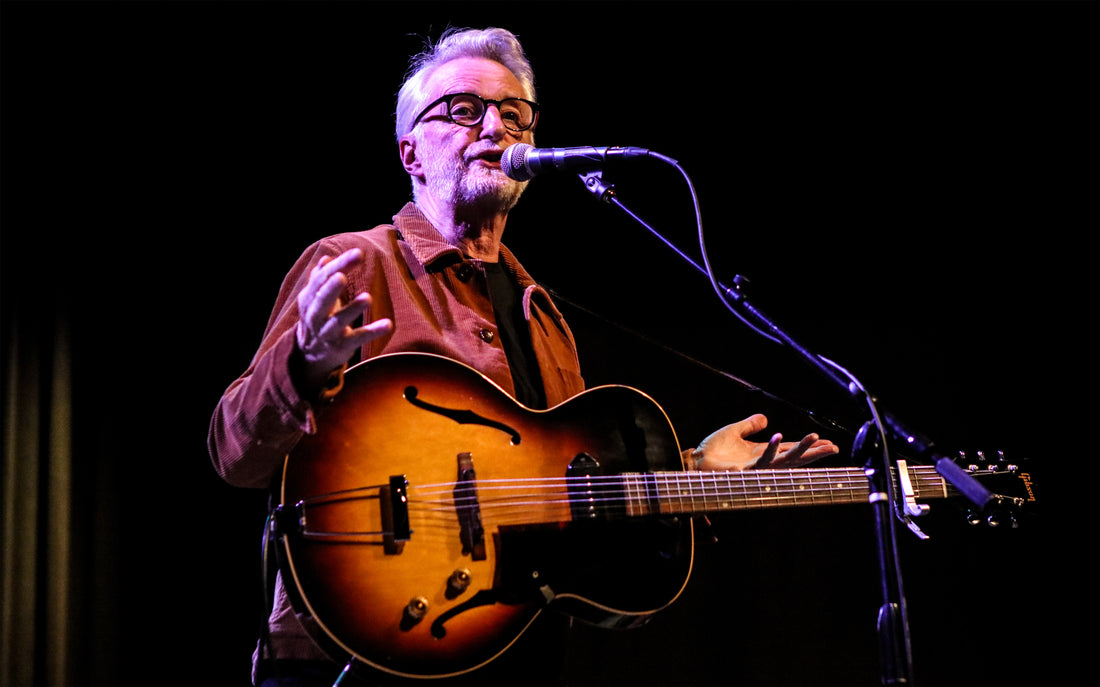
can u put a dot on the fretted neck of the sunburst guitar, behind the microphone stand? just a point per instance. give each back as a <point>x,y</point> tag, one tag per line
<point>668,493</point>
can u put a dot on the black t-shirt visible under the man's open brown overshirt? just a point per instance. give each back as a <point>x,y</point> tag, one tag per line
<point>515,336</point>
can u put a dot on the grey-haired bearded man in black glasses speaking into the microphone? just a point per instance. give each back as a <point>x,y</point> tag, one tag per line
<point>436,281</point>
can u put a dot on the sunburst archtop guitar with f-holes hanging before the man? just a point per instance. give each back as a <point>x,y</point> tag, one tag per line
<point>433,518</point>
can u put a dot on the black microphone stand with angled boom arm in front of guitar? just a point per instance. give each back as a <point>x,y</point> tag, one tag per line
<point>871,445</point>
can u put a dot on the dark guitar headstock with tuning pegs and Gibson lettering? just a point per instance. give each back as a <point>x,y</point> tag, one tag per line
<point>1013,484</point>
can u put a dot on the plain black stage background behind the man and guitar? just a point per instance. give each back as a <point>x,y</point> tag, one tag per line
<point>911,189</point>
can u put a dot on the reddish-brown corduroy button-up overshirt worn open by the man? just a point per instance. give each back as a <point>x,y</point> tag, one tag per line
<point>439,303</point>
